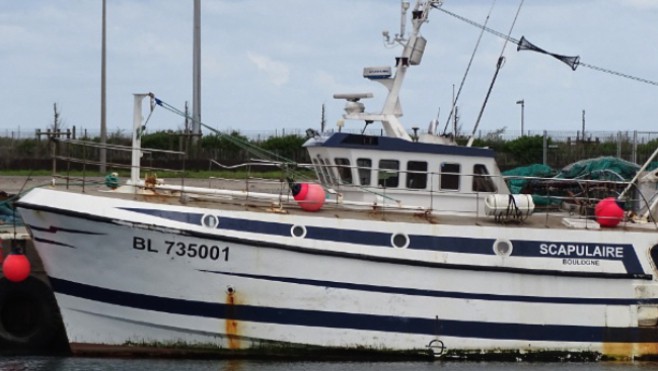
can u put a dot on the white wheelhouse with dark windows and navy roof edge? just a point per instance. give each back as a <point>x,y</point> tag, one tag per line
<point>383,170</point>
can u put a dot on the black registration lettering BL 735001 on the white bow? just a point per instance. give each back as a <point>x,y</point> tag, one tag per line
<point>179,248</point>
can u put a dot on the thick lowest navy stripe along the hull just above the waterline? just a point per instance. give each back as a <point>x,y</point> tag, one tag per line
<point>356,321</point>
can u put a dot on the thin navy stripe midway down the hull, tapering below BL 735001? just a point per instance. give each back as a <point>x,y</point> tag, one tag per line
<point>446,294</point>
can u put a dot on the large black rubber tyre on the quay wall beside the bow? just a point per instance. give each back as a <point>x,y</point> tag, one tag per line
<point>29,317</point>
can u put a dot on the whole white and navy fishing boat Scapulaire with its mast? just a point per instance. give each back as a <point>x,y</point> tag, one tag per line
<point>406,245</point>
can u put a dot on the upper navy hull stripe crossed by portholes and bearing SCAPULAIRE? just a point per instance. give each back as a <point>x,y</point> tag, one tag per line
<point>482,246</point>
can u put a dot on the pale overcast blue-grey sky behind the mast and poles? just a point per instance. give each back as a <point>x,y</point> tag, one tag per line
<point>272,64</point>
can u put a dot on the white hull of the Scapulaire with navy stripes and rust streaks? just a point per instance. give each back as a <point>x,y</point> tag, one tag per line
<point>124,275</point>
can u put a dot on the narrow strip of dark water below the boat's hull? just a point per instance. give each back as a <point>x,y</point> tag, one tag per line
<point>93,364</point>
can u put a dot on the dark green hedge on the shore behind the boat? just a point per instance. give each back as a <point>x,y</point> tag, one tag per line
<point>22,156</point>
